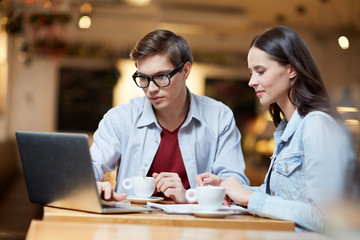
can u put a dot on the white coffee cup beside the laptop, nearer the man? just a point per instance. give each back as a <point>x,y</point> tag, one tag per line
<point>141,186</point>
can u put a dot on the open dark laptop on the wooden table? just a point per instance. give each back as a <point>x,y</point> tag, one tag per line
<point>58,172</point>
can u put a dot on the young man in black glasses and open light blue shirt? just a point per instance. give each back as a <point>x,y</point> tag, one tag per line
<point>171,134</point>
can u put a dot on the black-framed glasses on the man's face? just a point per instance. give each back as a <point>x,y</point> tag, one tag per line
<point>160,80</point>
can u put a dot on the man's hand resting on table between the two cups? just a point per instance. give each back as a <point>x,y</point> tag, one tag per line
<point>170,184</point>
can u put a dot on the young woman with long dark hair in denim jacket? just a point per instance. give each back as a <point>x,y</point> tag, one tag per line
<point>313,152</point>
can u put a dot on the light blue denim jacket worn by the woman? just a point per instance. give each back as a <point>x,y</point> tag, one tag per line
<point>308,171</point>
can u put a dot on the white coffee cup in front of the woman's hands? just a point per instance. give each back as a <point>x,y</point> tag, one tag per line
<point>210,198</point>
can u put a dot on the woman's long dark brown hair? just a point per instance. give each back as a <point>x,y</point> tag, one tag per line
<point>307,92</point>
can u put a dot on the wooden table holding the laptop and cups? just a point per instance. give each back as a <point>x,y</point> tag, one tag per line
<point>246,222</point>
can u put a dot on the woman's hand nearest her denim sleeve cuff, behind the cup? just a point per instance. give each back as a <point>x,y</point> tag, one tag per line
<point>236,191</point>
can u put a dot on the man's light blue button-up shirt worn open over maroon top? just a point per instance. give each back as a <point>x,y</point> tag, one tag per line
<point>129,135</point>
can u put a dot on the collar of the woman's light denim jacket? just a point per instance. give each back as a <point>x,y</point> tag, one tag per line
<point>286,129</point>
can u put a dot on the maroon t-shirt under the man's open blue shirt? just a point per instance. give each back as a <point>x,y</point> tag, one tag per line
<point>168,158</point>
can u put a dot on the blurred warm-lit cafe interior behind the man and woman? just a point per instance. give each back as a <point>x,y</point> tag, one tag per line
<point>64,63</point>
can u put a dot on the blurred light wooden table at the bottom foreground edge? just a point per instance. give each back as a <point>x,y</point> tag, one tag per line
<point>44,230</point>
